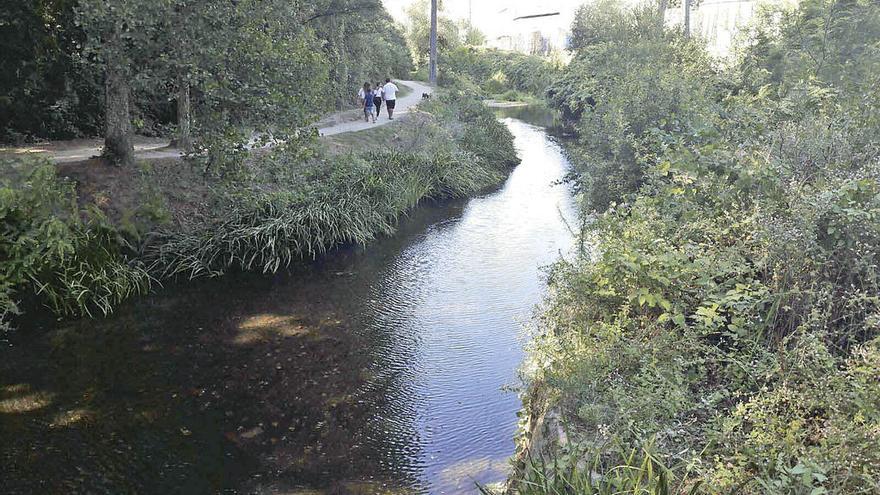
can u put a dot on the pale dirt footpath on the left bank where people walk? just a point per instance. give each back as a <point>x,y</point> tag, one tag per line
<point>159,148</point>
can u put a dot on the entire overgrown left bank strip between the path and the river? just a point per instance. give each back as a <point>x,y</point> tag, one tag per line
<point>81,248</point>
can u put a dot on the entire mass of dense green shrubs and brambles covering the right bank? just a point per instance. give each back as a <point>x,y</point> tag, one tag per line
<point>720,332</point>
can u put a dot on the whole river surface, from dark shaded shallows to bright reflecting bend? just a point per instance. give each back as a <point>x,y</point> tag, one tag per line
<point>375,370</point>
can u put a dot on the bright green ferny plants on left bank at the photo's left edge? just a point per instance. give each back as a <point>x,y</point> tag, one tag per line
<point>72,259</point>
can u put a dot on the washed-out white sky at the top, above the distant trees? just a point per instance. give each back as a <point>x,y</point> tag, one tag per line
<point>495,17</point>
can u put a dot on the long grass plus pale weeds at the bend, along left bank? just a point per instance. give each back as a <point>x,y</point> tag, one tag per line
<point>340,199</point>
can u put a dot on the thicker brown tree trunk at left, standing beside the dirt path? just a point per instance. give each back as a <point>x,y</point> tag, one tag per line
<point>117,117</point>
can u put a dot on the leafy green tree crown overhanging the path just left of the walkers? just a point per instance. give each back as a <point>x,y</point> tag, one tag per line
<point>239,69</point>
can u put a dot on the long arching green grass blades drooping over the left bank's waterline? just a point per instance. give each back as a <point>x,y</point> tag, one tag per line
<point>358,198</point>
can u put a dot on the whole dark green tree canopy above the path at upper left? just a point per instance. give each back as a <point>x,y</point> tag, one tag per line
<point>252,65</point>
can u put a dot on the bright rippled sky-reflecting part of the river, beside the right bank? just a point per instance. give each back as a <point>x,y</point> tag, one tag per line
<point>447,315</point>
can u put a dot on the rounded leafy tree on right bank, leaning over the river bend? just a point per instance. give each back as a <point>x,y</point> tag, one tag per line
<point>630,81</point>
